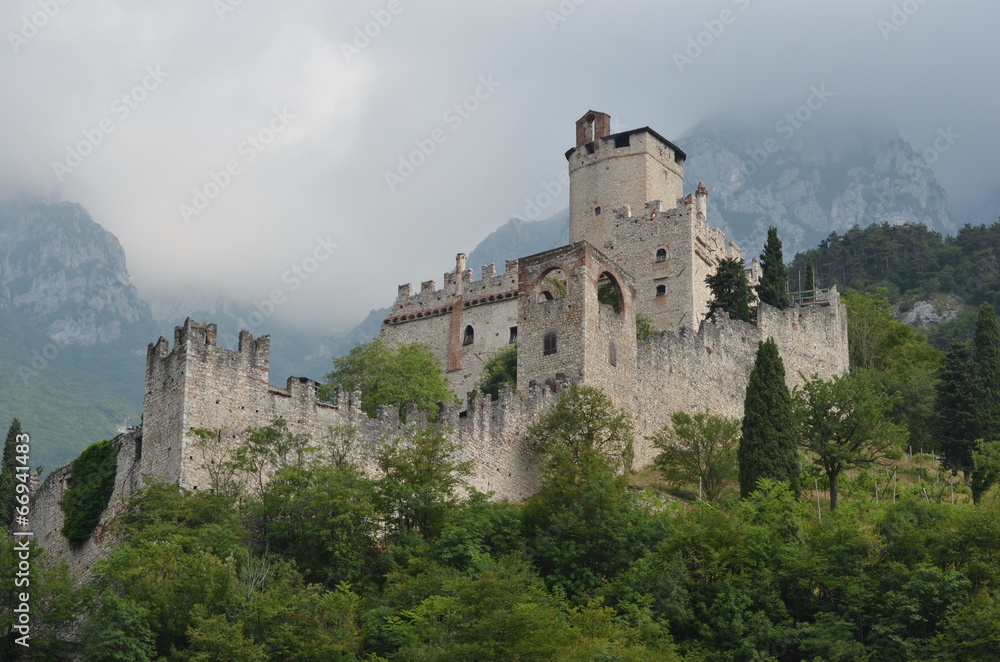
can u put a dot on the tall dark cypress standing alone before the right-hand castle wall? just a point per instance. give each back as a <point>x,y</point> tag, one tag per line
<point>768,443</point>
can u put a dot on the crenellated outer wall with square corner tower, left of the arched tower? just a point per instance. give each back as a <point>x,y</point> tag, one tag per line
<point>227,390</point>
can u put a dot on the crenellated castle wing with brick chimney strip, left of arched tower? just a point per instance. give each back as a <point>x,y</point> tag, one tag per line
<point>440,318</point>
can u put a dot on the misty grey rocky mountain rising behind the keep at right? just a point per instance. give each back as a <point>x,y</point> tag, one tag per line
<point>810,183</point>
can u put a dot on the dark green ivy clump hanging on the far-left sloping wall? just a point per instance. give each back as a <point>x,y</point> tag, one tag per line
<point>92,481</point>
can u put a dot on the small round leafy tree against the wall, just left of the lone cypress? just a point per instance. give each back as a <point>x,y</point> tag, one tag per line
<point>699,448</point>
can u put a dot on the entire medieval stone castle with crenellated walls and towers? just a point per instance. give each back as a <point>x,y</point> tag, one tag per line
<point>637,245</point>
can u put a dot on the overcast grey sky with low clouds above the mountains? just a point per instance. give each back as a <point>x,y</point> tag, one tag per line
<point>136,109</point>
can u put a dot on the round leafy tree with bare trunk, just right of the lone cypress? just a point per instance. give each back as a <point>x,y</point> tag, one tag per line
<point>845,422</point>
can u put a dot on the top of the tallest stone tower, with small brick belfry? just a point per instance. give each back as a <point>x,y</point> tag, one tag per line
<point>608,171</point>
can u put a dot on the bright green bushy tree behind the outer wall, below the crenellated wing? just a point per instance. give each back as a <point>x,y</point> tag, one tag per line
<point>391,375</point>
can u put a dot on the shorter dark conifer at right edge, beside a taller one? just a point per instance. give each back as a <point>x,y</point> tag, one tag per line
<point>957,422</point>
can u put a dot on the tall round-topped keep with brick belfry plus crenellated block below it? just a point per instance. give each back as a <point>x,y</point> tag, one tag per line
<point>626,199</point>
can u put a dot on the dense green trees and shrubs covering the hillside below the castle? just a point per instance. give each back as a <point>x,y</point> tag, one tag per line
<point>324,562</point>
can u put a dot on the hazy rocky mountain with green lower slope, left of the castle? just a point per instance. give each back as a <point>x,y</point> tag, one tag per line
<point>73,330</point>
